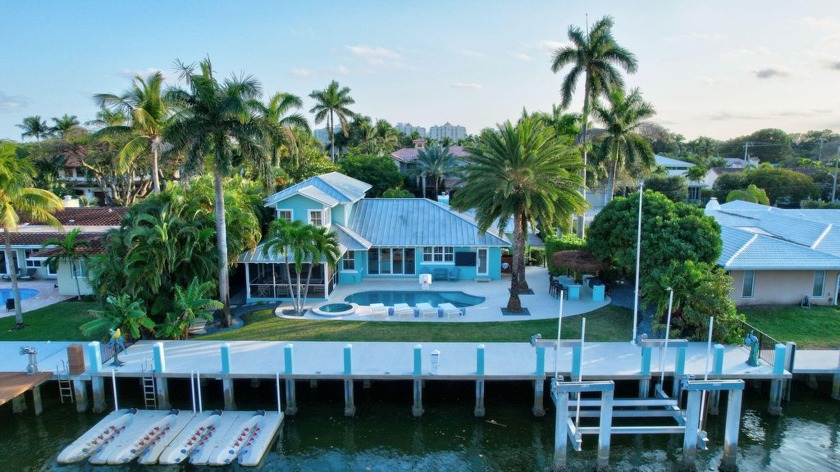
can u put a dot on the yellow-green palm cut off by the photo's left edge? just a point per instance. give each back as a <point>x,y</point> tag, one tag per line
<point>17,198</point>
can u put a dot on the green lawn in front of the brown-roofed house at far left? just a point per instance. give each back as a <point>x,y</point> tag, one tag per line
<point>58,322</point>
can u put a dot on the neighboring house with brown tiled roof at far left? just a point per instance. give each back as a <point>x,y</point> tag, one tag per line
<point>27,244</point>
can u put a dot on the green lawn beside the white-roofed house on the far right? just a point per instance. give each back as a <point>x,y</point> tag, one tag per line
<point>817,327</point>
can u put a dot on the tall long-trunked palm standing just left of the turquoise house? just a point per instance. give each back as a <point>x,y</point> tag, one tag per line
<point>211,117</point>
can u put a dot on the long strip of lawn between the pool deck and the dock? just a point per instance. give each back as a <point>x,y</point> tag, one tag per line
<point>607,324</point>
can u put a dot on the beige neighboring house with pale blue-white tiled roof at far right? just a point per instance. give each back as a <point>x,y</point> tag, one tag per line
<point>779,256</point>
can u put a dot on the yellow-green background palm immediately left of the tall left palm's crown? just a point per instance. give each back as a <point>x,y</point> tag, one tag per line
<point>147,106</point>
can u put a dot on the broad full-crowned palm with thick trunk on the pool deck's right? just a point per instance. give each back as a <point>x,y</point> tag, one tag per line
<point>522,172</point>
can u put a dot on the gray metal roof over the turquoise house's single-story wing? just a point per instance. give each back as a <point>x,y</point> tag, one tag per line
<point>417,222</point>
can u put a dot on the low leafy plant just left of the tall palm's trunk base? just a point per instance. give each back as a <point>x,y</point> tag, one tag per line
<point>190,304</point>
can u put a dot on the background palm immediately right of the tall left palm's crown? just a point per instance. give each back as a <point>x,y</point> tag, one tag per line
<point>280,122</point>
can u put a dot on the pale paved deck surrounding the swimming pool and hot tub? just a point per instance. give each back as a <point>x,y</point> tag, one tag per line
<point>540,305</point>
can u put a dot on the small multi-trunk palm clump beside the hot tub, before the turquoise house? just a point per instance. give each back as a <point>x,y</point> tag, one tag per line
<point>299,243</point>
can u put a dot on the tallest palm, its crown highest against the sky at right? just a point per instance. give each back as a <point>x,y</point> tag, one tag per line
<point>594,55</point>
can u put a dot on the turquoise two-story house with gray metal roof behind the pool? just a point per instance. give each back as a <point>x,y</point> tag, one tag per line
<point>378,237</point>
